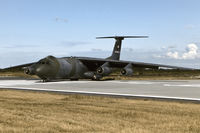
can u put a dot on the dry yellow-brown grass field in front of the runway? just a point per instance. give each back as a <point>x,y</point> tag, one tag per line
<point>23,111</point>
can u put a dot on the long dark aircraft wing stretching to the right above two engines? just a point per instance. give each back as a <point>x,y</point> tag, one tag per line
<point>94,63</point>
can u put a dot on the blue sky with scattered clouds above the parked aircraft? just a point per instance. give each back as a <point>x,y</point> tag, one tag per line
<point>33,29</point>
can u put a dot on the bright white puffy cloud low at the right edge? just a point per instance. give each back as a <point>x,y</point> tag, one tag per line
<point>190,53</point>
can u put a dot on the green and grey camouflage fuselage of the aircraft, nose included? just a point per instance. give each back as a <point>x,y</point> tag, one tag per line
<point>58,68</point>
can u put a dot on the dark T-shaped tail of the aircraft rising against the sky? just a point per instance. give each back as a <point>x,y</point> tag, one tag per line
<point>117,48</point>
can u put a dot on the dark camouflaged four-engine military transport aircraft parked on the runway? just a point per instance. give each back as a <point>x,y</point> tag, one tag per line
<point>75,68</point>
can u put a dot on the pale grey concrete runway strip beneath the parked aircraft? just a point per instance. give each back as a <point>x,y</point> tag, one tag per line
<point>160,89</point>
